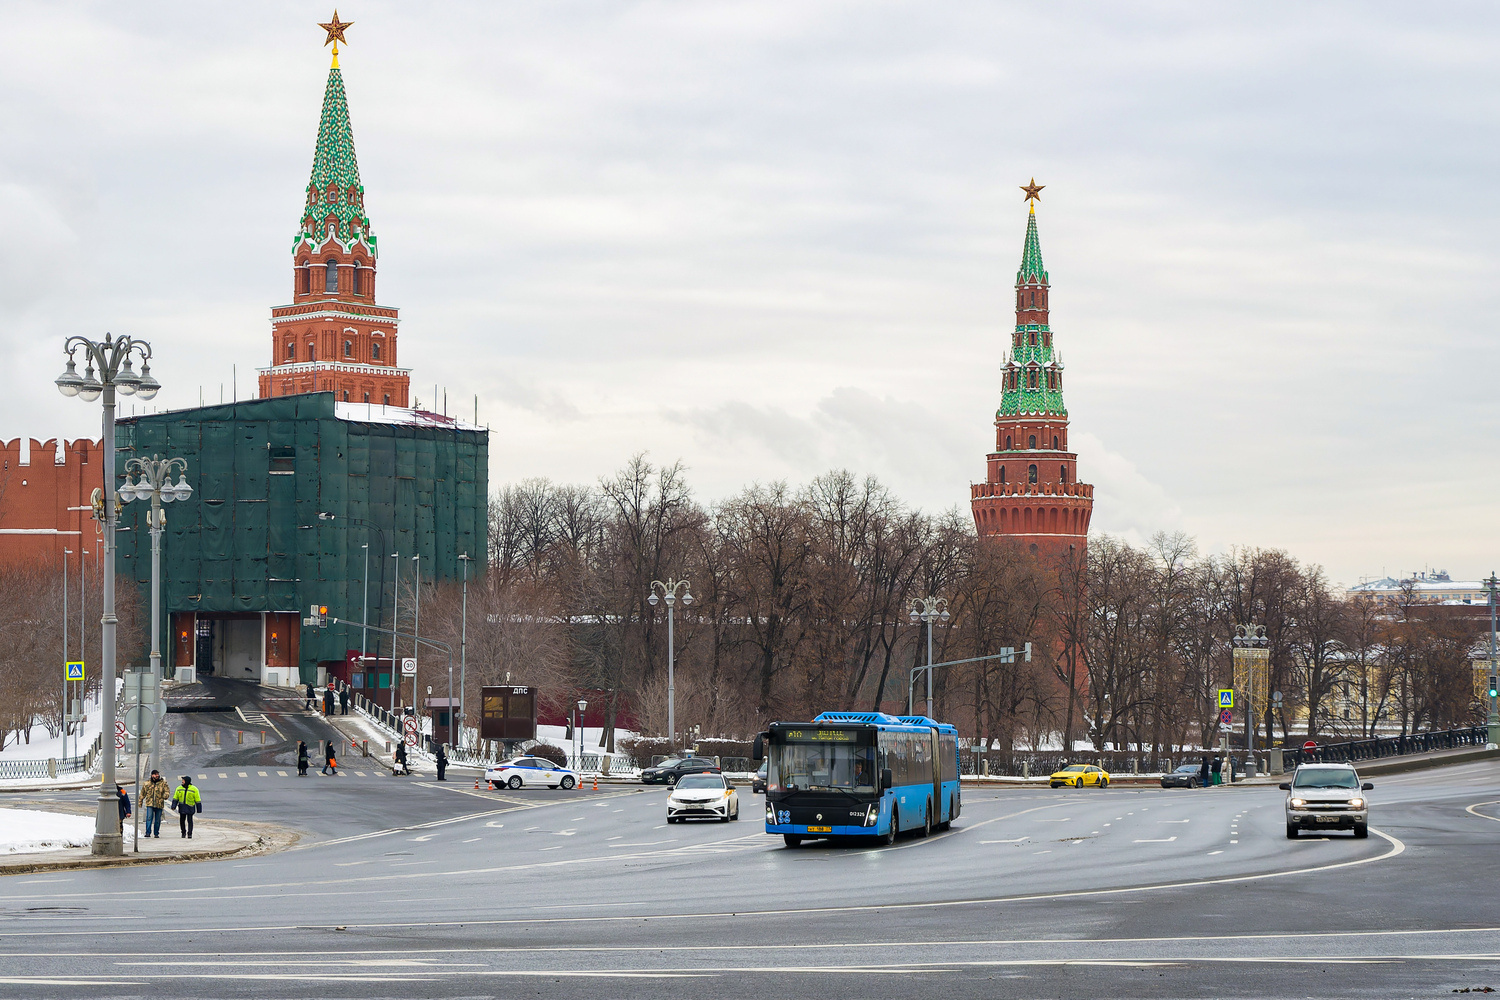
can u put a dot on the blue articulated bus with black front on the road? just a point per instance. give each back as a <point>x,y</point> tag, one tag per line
<point>860,776</point>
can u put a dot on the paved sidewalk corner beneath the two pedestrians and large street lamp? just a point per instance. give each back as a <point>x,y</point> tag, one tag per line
<point>212,839</point>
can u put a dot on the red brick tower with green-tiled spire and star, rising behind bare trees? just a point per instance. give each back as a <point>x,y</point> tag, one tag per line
<point>1033,491</point>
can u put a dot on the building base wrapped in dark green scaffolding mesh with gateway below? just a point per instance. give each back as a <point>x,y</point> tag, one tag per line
<point>290,497</point>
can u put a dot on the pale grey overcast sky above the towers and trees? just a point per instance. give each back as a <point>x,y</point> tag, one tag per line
<point>773,239</point>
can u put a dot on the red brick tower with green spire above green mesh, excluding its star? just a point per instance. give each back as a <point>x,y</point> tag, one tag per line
<point>334,337</point>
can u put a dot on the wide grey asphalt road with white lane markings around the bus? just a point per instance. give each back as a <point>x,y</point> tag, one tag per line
<point>410,888</point>
